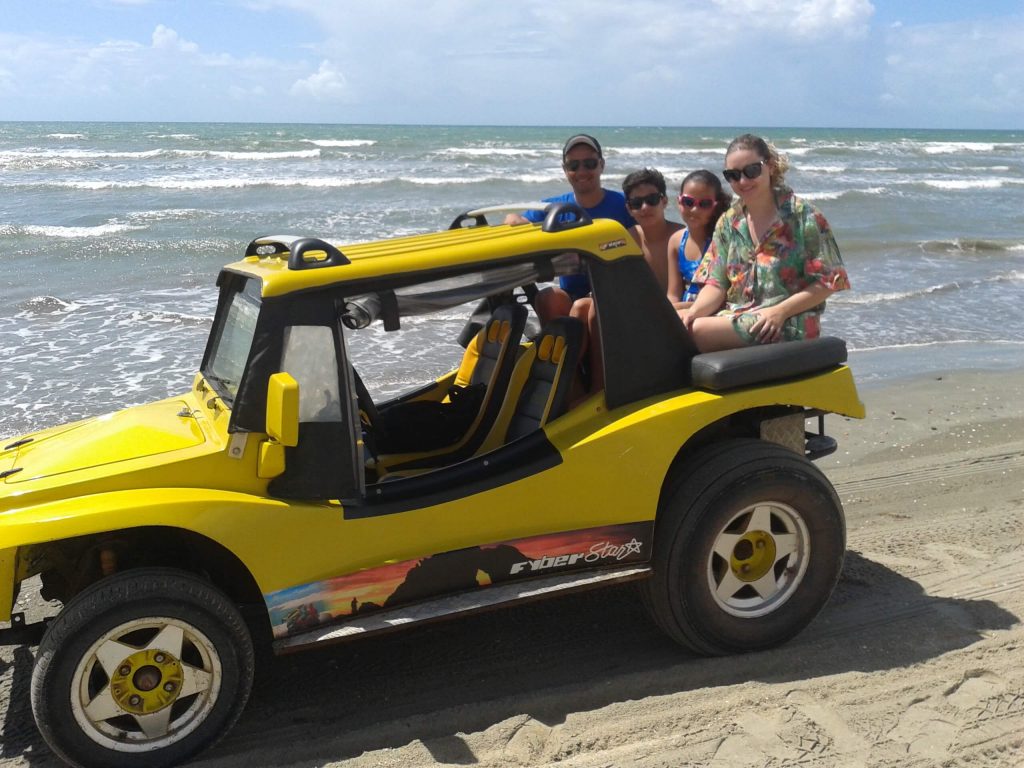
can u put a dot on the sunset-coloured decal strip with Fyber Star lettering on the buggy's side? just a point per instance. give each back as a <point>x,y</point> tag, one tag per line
<point>311,606</point>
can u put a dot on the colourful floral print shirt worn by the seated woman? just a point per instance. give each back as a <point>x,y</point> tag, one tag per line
<point>798,251</point>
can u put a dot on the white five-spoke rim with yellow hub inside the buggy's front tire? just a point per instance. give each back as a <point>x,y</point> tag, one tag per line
<point>146,685</point>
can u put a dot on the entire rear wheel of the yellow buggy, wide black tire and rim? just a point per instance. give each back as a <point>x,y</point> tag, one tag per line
<point>748,548</point>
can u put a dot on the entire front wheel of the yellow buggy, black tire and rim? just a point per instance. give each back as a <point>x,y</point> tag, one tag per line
<point>144,669</point>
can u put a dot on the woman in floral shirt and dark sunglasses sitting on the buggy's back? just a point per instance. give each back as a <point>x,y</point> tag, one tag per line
<point>773,262</point>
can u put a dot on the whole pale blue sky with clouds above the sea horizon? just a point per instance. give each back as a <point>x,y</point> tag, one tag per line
<point>913,64</point>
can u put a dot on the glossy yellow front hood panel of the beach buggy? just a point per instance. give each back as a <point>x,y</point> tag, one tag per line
<point>133,434</point>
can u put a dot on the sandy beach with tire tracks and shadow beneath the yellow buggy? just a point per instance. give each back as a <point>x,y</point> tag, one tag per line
<point>917,661</point>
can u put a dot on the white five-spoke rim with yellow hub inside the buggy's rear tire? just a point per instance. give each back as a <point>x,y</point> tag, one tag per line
<point>758,560</point>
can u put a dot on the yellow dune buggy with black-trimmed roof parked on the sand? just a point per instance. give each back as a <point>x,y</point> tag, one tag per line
<point>284,501</point>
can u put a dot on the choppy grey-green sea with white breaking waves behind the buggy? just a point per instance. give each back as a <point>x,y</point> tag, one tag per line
<point>113,235</point>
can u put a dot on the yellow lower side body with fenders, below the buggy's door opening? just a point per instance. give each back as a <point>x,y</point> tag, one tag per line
<point>613,470</point>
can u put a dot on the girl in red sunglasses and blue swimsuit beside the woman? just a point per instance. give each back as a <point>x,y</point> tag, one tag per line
<point>702,201</point>
